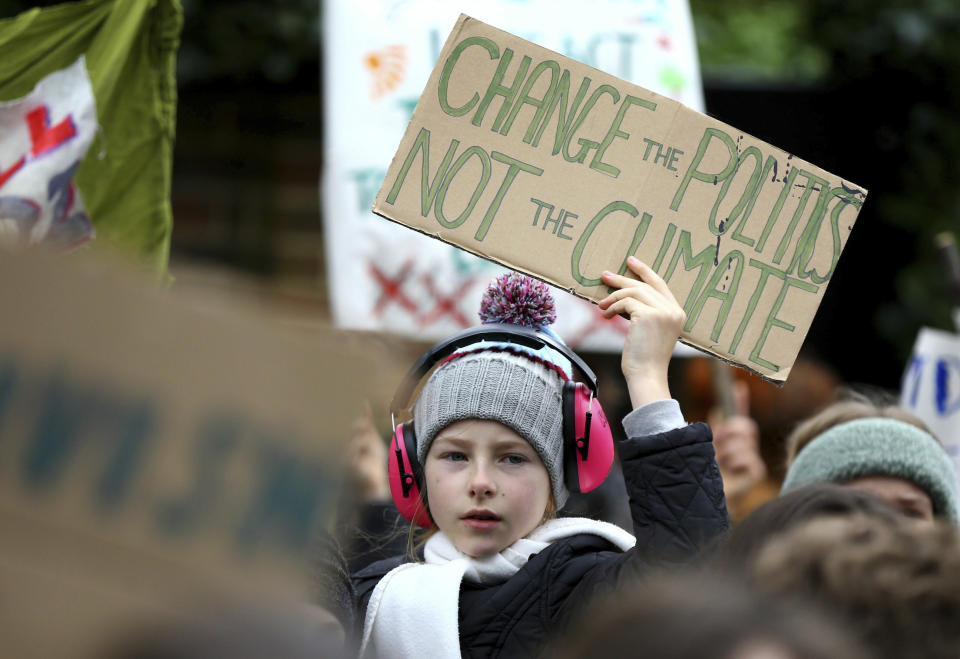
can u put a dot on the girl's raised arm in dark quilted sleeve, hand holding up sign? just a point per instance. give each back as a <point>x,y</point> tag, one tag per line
<point>676,494</point>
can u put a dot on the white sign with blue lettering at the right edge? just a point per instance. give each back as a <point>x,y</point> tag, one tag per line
<point>931,387</point>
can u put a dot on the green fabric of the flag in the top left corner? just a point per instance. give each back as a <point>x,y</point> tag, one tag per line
<point>130,48</point>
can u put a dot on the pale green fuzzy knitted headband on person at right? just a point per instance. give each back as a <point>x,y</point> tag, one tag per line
<point>878,447</point>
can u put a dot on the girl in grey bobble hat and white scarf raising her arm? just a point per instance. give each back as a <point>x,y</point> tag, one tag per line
<point>502,572</point>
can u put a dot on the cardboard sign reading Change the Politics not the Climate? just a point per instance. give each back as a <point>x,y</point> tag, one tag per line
<point>533,160</point>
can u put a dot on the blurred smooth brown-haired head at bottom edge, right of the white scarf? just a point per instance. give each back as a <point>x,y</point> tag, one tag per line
<point>705,616</point>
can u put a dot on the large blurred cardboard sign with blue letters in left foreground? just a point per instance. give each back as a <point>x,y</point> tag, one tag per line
<point>150,448</point>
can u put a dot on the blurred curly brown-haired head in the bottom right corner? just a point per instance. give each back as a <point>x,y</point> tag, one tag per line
<point>896,584</point>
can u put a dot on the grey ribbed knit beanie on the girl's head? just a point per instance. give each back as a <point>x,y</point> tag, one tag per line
<point>513,388</point>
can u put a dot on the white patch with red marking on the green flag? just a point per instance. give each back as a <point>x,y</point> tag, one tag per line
<point>43,138</point>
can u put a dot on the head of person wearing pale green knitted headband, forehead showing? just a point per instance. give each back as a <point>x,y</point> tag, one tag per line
<point>890,458</point>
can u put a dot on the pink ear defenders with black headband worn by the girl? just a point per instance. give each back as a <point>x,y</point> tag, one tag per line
<point>587,439</point>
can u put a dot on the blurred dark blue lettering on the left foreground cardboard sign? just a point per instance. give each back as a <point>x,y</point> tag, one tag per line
<point>61,423</point>
